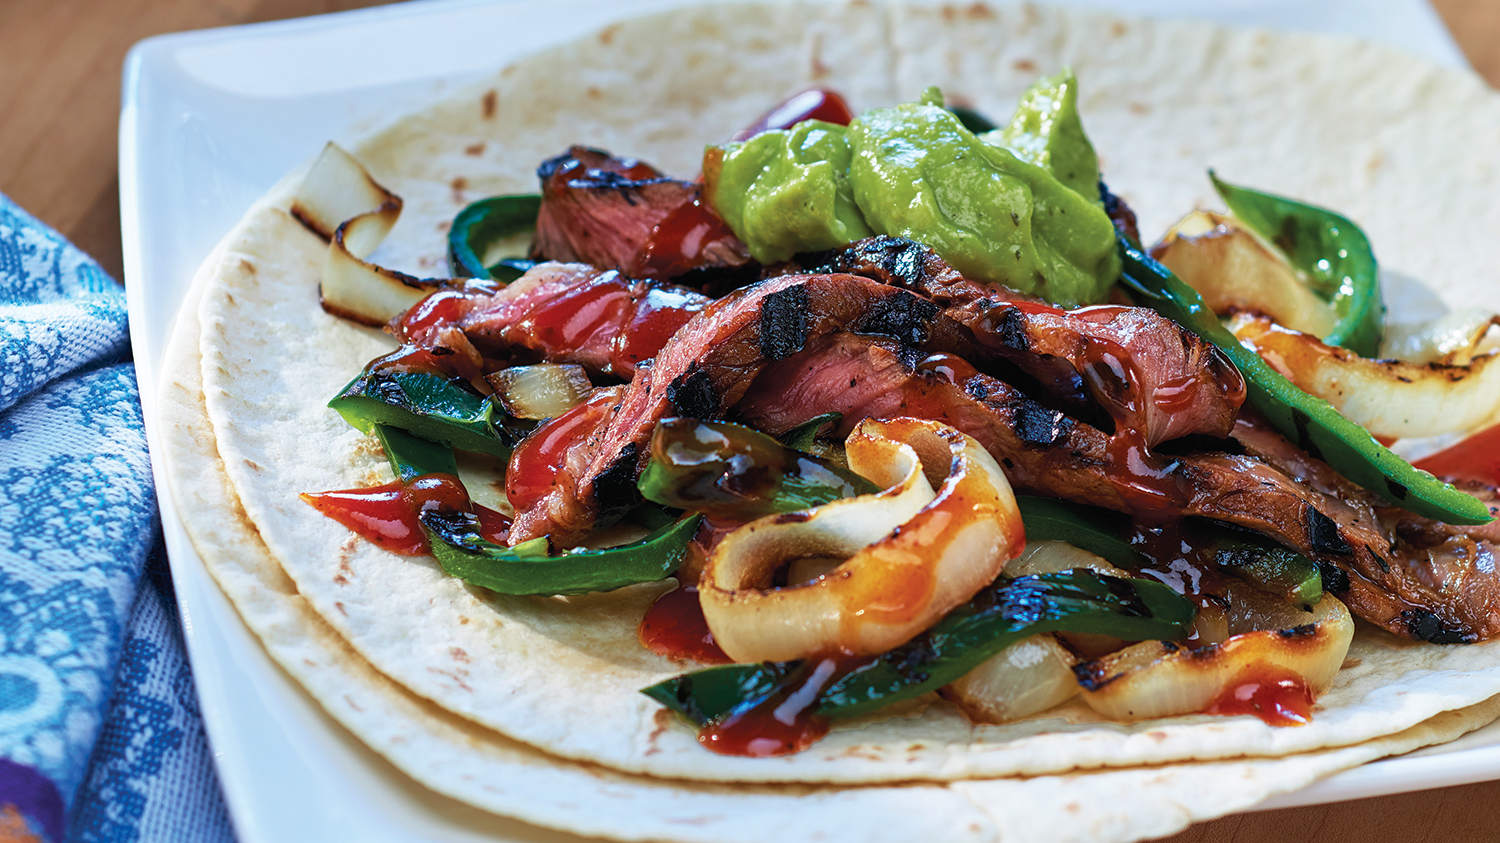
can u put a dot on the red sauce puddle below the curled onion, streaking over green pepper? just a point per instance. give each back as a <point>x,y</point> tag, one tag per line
<point>785,722</point>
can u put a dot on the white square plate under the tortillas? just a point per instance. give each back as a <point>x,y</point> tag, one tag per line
<point>212,119</point>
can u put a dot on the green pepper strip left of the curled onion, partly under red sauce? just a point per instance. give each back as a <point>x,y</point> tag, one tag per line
<point>527,568</point>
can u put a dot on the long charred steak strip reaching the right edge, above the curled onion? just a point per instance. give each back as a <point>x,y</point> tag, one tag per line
<point>1409,575</point>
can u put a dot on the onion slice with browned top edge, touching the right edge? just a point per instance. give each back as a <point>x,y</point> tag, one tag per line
<point>1390,398</point>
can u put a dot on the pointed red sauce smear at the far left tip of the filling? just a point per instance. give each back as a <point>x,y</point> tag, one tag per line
<point>388,515</point>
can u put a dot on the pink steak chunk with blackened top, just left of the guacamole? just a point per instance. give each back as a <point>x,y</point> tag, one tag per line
<point>626,215</point>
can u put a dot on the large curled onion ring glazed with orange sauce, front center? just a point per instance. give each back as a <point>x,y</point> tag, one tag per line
<point>892,584</point>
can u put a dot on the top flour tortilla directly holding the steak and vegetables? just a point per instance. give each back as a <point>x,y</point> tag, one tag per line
<point>1162,103</point>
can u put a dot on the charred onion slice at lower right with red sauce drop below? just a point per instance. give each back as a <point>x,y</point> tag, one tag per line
<point>1160,679</point>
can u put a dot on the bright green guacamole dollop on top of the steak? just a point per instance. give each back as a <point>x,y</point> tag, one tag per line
<point>1027,218</point>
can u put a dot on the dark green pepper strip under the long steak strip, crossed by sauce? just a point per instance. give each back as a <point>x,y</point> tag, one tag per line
<point>1249,556</point>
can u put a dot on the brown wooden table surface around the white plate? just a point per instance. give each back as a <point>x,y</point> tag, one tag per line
<point>61,101</point>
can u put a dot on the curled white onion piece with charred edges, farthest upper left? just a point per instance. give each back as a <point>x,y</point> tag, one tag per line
<point>341,203</point>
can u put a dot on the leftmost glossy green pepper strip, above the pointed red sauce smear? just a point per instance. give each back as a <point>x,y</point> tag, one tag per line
<point>430,406</point>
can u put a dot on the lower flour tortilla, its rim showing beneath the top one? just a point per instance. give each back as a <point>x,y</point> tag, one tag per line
<point>476,766</point>
